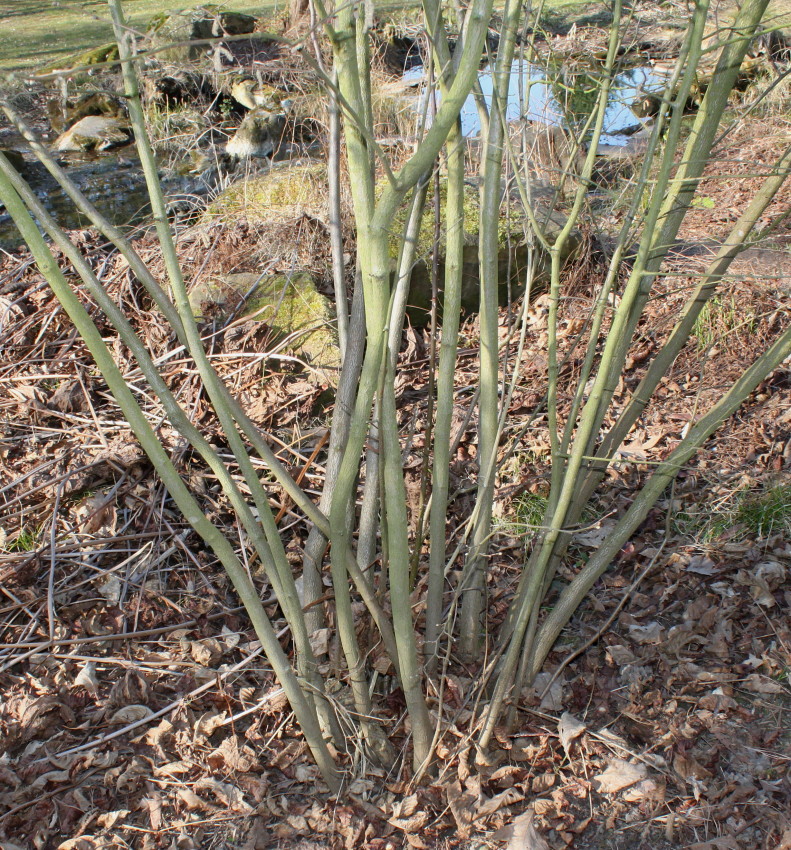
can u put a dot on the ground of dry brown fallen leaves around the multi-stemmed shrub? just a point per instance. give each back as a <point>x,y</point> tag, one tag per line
<point>137,711</point>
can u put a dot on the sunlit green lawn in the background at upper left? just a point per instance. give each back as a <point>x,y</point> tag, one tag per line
<point>37,32</point>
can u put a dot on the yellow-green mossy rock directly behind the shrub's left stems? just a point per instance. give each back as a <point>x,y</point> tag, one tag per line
<point>289,304</point>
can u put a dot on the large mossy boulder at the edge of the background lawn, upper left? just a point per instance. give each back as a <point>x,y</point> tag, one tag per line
<point>170,30</point>
